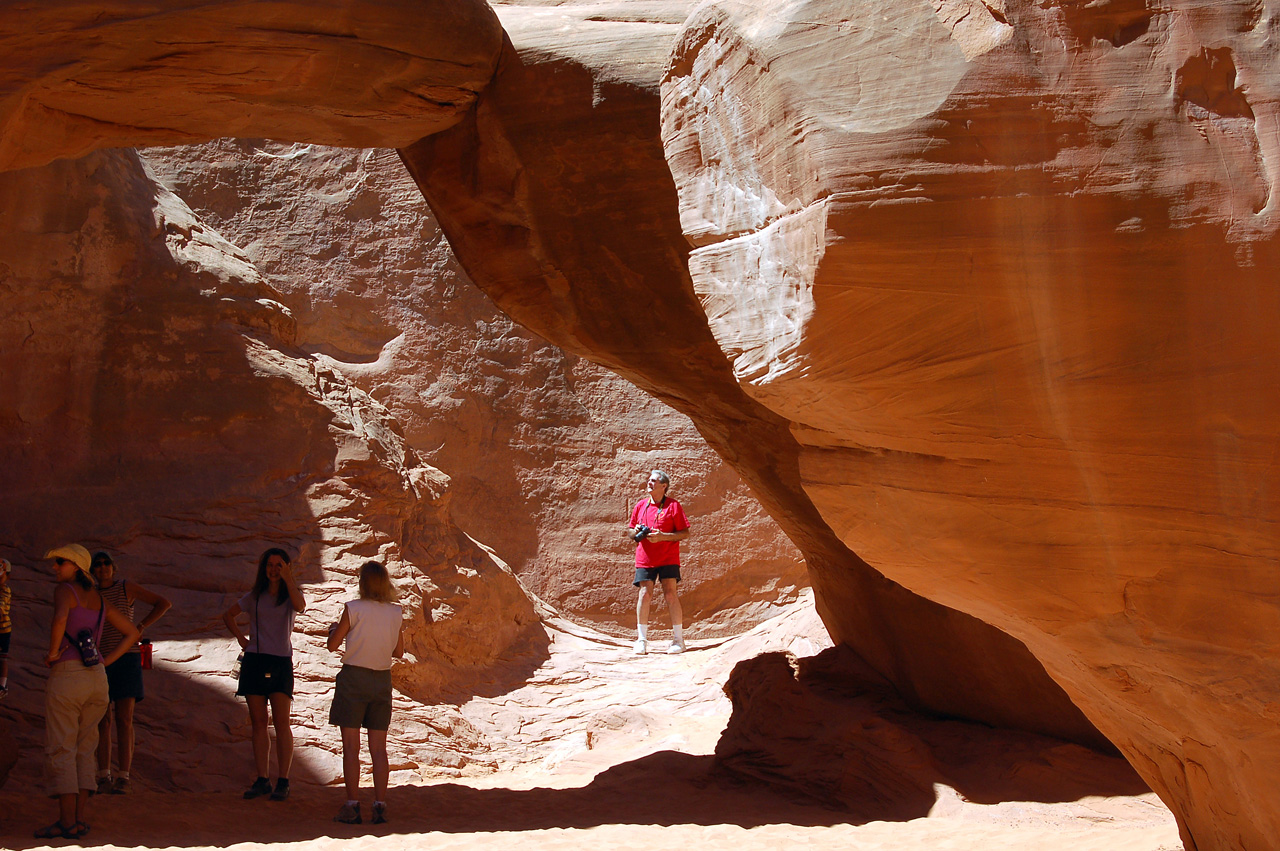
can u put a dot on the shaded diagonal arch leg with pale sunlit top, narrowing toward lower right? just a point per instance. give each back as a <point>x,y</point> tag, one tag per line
<point>559,202</point>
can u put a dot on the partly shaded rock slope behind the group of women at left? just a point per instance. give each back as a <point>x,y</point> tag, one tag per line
<point>156,405</point>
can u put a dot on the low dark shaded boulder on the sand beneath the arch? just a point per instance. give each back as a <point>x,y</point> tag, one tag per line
<point>830,730</point>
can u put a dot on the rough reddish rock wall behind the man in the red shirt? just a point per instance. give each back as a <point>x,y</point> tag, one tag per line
<point>546,452</point>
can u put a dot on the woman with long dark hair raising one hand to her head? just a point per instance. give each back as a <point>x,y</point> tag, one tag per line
<point>267,671</point>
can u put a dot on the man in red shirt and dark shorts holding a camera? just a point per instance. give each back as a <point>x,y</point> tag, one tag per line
<point>657,527</point>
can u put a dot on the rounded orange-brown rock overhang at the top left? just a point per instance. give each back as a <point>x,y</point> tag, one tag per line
<point>76,76</point>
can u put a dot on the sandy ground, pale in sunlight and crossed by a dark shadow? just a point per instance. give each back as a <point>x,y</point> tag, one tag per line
<point>602,749</point>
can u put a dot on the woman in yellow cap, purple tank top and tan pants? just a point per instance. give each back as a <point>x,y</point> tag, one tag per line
<point>76,694</point>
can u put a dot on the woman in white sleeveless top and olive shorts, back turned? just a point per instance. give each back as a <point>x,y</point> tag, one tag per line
<point>373,629</point>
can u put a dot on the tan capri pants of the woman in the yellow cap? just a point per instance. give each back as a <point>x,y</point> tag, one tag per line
<point>75,702</point>
